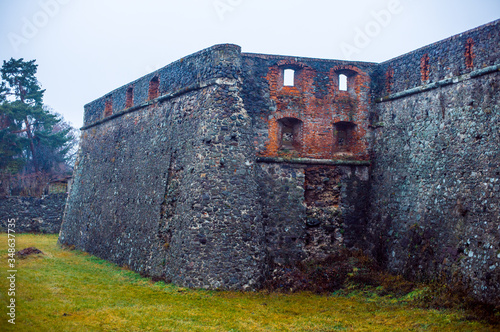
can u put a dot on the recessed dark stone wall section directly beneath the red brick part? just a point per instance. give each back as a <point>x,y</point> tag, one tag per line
<point>311,211</point>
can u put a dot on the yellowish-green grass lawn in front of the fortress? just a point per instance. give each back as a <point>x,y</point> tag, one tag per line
<point>73,291</point>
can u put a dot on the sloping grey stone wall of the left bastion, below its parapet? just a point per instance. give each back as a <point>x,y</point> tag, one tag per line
<point>168,188</point>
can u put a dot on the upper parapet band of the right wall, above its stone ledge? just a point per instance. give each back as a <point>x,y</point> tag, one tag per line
<point>440,63</point>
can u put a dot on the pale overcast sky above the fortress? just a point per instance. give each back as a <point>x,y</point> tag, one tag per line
<point>86,48</point>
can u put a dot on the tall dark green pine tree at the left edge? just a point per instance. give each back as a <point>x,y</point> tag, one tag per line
<point>30,134</point>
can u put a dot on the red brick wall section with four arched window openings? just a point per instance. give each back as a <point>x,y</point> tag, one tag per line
<point>319,113</point>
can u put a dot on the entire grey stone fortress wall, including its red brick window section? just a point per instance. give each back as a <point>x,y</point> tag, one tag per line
<point>216,169</point>
